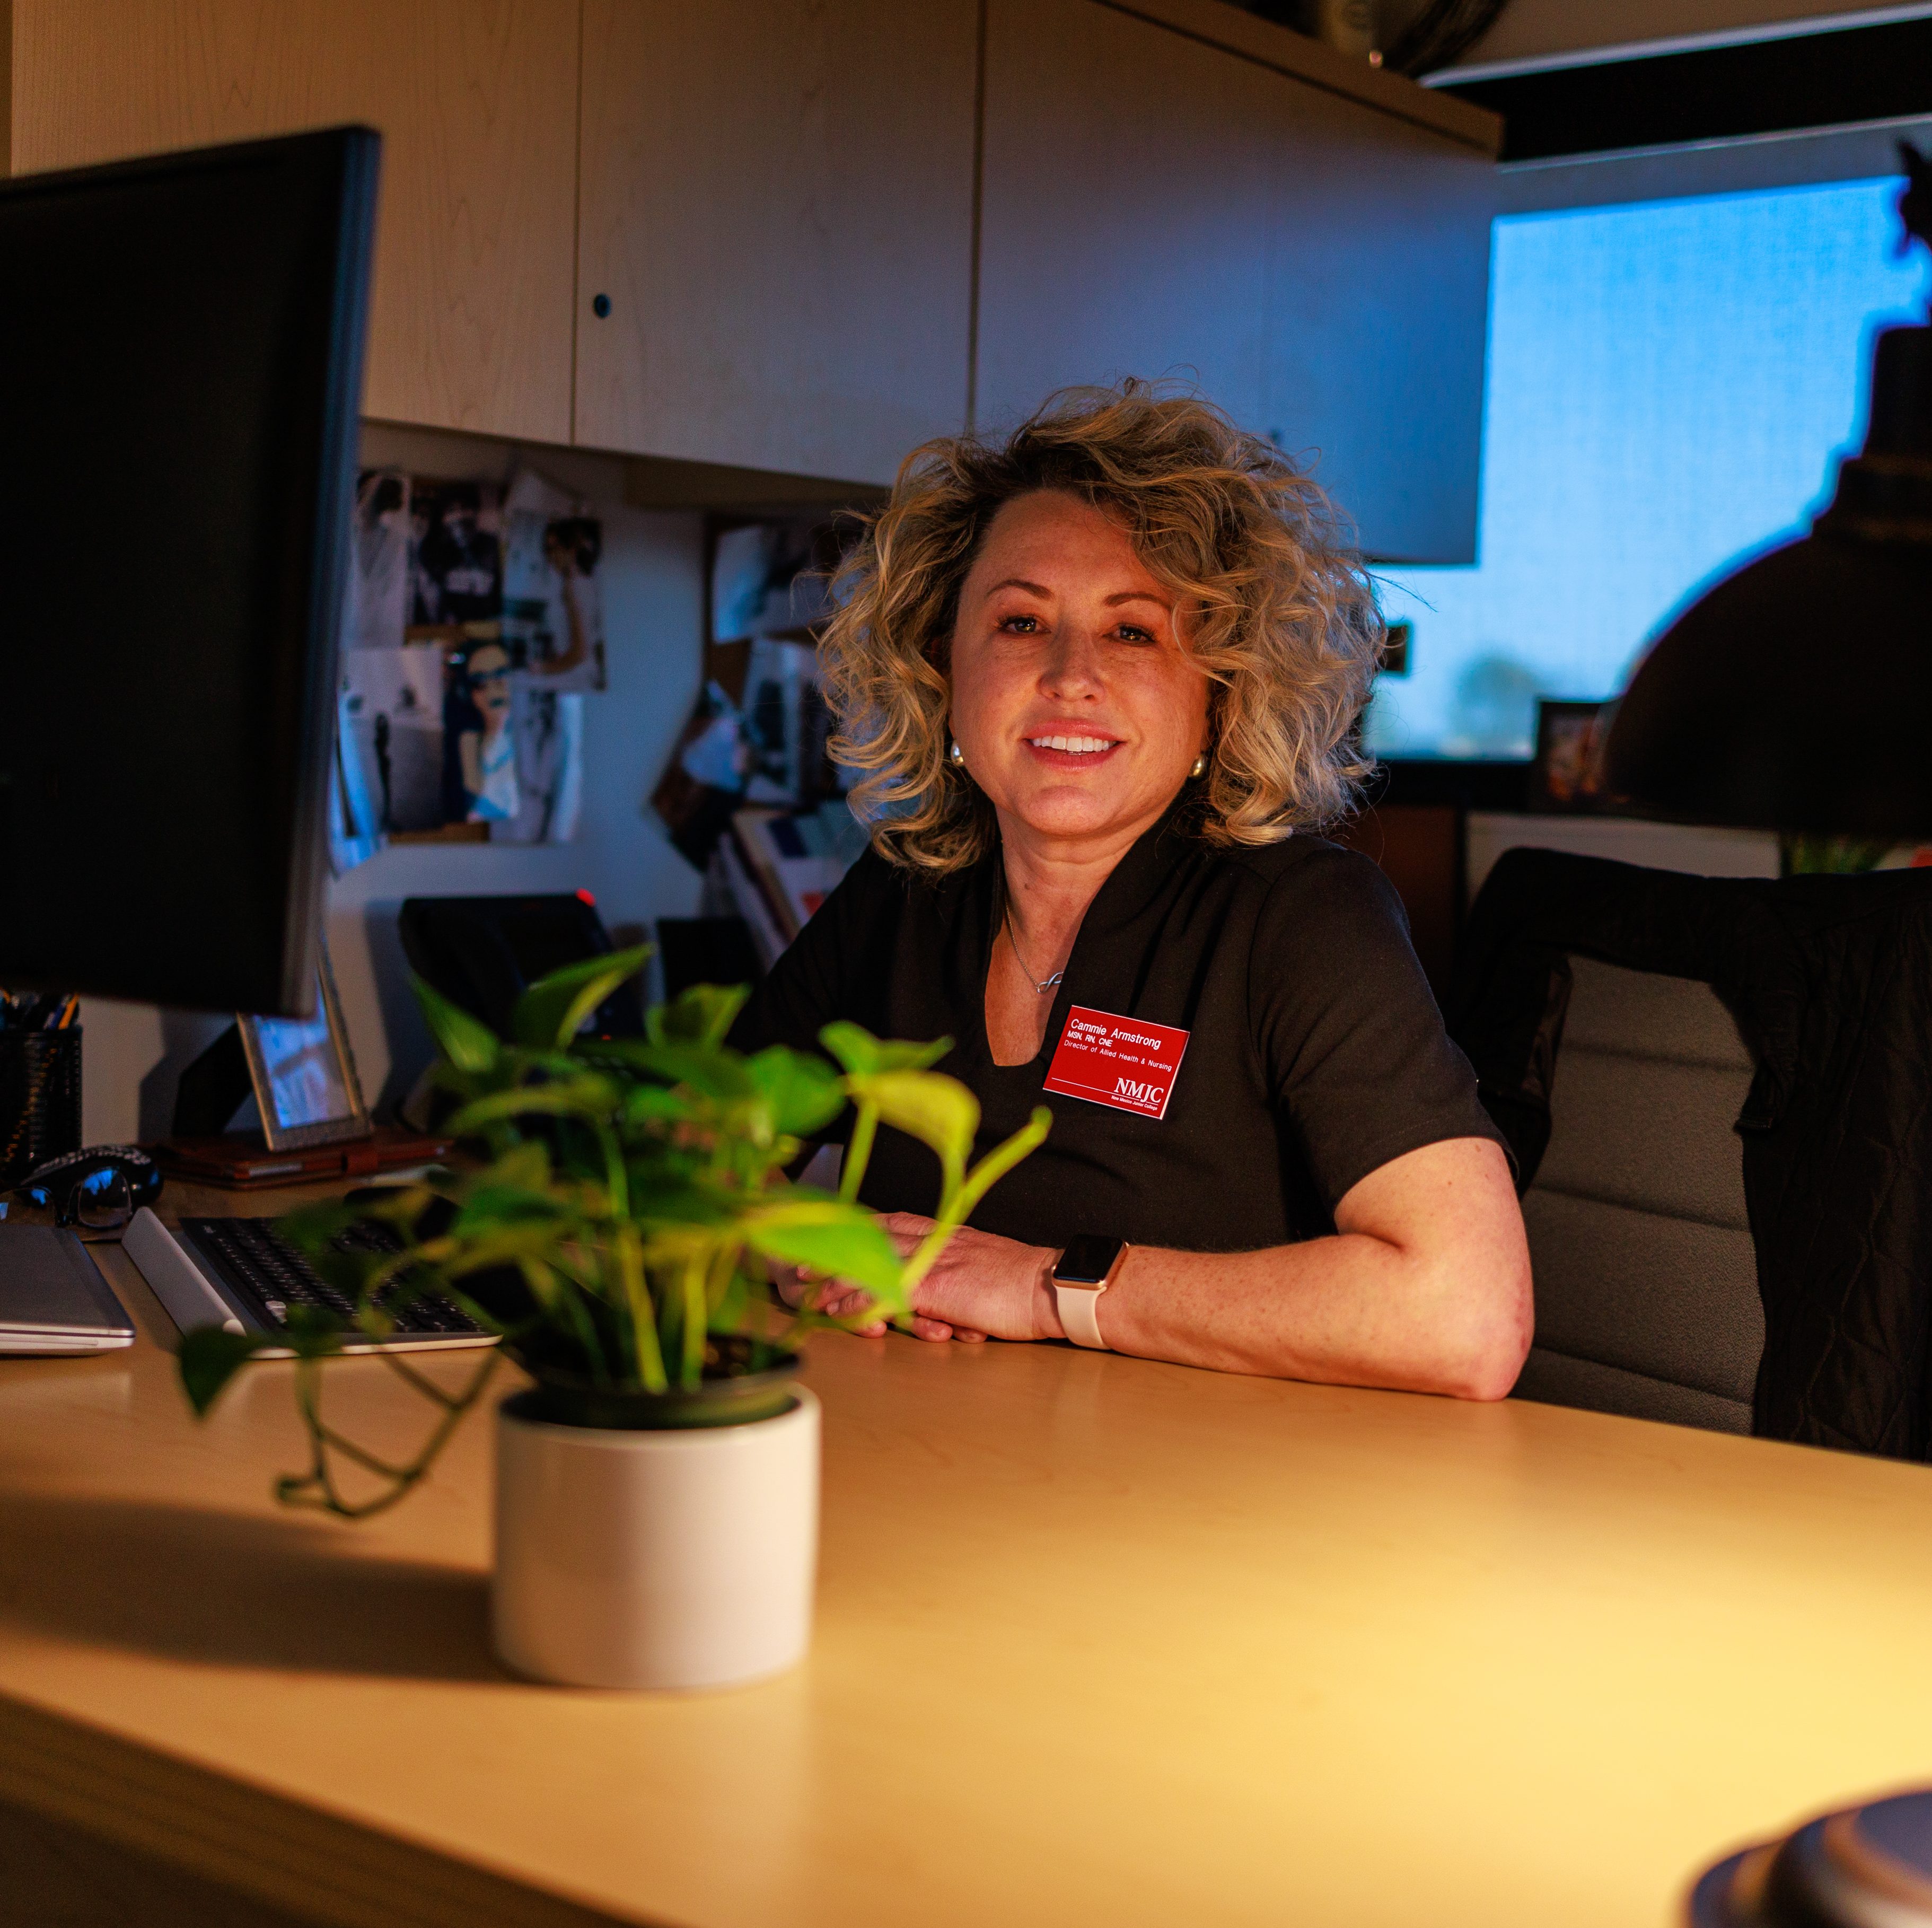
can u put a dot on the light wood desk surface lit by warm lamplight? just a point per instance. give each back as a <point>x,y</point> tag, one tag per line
<point>1098,1641</point>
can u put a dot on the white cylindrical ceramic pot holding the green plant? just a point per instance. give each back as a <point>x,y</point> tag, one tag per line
<point>664,1560</point>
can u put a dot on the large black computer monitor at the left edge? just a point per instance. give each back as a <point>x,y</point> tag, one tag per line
<point>181,382</point>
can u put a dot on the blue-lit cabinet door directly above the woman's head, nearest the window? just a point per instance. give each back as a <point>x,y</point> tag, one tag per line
<point>1160,208</point>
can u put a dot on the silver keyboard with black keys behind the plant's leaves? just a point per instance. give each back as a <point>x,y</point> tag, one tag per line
<point>246,1276</point>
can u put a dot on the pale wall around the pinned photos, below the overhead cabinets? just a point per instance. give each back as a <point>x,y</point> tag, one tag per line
<point>654,613</point>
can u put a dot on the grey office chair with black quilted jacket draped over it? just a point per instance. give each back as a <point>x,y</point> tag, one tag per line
<point>1720,1106</point>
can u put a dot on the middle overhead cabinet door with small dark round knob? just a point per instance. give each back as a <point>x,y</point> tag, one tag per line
<point>778,215</point>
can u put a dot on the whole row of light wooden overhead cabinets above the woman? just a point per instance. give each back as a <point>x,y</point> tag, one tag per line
<point>743,235</point>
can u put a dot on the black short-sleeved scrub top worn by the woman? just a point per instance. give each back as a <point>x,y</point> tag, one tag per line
<point>1315,1048</point>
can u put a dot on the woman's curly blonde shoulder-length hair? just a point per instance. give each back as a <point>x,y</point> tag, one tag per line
<point>1276,608</point>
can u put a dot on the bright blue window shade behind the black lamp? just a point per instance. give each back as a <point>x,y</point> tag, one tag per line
<point>1670,387</point>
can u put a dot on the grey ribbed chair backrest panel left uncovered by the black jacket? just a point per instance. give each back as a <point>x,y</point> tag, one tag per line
<point>1647,1284</point>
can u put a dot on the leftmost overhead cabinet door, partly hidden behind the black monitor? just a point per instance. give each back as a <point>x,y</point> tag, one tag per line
<point>476,101</point>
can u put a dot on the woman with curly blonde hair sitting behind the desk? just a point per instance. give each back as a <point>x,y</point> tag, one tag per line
<point>1100,683</point>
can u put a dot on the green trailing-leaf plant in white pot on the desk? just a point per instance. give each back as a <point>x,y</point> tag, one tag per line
<point>658,1481</point>
